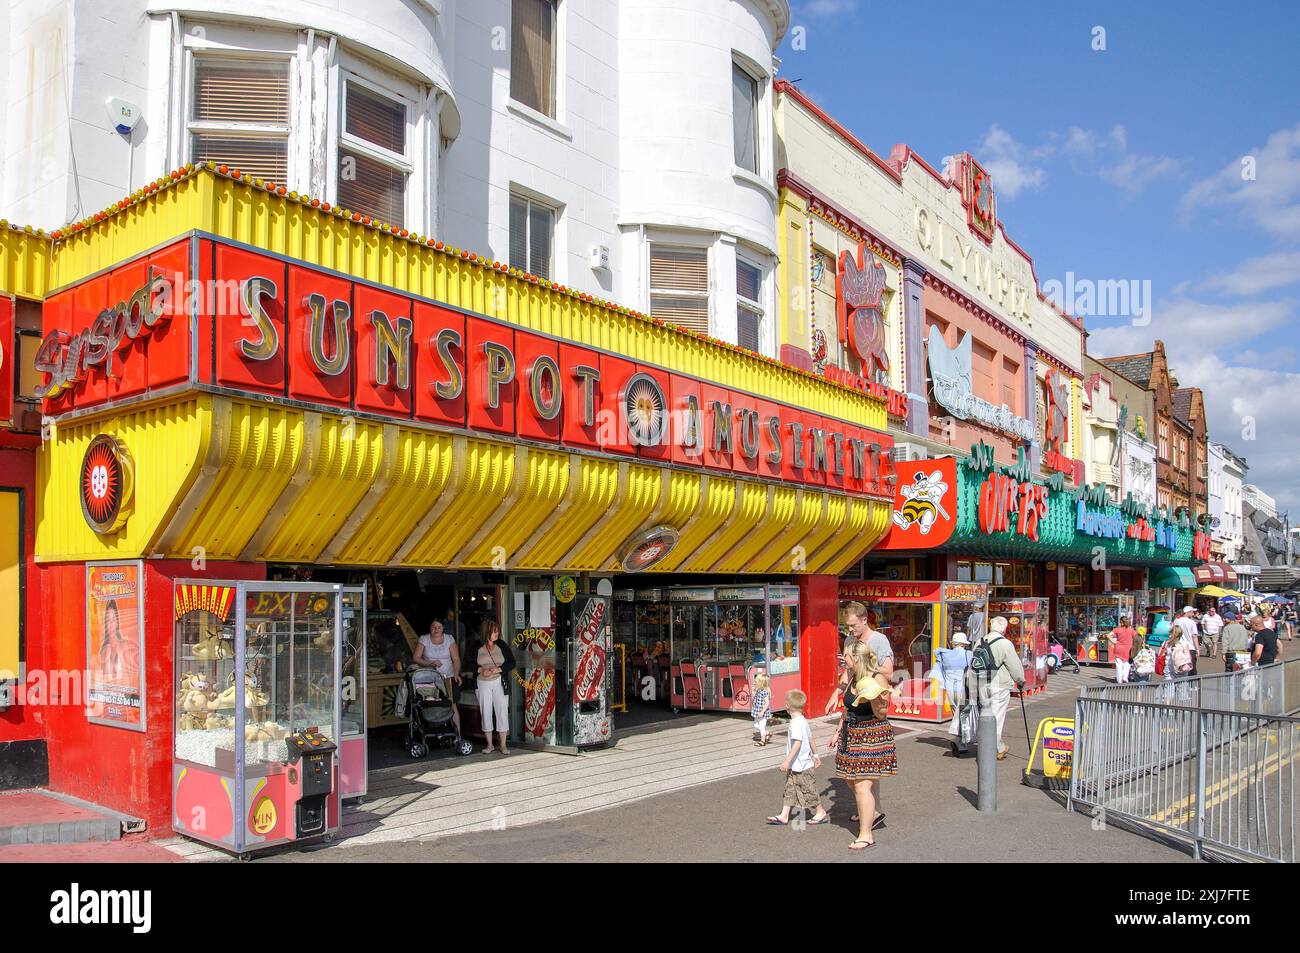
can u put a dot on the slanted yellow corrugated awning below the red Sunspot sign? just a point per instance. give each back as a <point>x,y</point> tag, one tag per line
<point>229,479</point>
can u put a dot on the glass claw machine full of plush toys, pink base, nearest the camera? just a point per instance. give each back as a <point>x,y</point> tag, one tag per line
<point>258,713</point>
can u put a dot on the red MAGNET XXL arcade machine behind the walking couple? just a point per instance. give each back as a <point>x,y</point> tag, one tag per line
<point>920,618</point>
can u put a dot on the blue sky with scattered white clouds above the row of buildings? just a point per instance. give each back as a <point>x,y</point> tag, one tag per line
<point>1113,164</point>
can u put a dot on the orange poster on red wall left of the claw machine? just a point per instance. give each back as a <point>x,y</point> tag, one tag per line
<point>115,644</point>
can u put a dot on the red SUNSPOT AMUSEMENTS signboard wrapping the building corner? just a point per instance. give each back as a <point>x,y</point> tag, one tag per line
<point>276,328</point>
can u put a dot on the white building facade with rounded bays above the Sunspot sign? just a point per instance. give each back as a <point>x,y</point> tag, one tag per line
<point>619,149</point>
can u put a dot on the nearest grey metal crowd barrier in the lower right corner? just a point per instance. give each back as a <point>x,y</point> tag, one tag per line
<point>1210,760</point>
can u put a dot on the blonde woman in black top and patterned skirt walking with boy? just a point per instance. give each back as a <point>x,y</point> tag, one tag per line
<point>865,751</point>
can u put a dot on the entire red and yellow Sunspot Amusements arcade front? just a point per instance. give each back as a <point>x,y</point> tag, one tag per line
<point>313,440</point>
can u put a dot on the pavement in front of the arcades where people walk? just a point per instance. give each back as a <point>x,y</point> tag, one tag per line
<point>695,789</point>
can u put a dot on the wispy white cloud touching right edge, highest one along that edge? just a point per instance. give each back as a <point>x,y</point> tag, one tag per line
<point>1271,200</point>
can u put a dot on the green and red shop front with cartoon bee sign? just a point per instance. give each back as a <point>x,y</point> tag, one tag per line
<point>1055,560</point>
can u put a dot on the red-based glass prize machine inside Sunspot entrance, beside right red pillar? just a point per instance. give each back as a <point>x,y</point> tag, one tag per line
<point>722,638</point>
